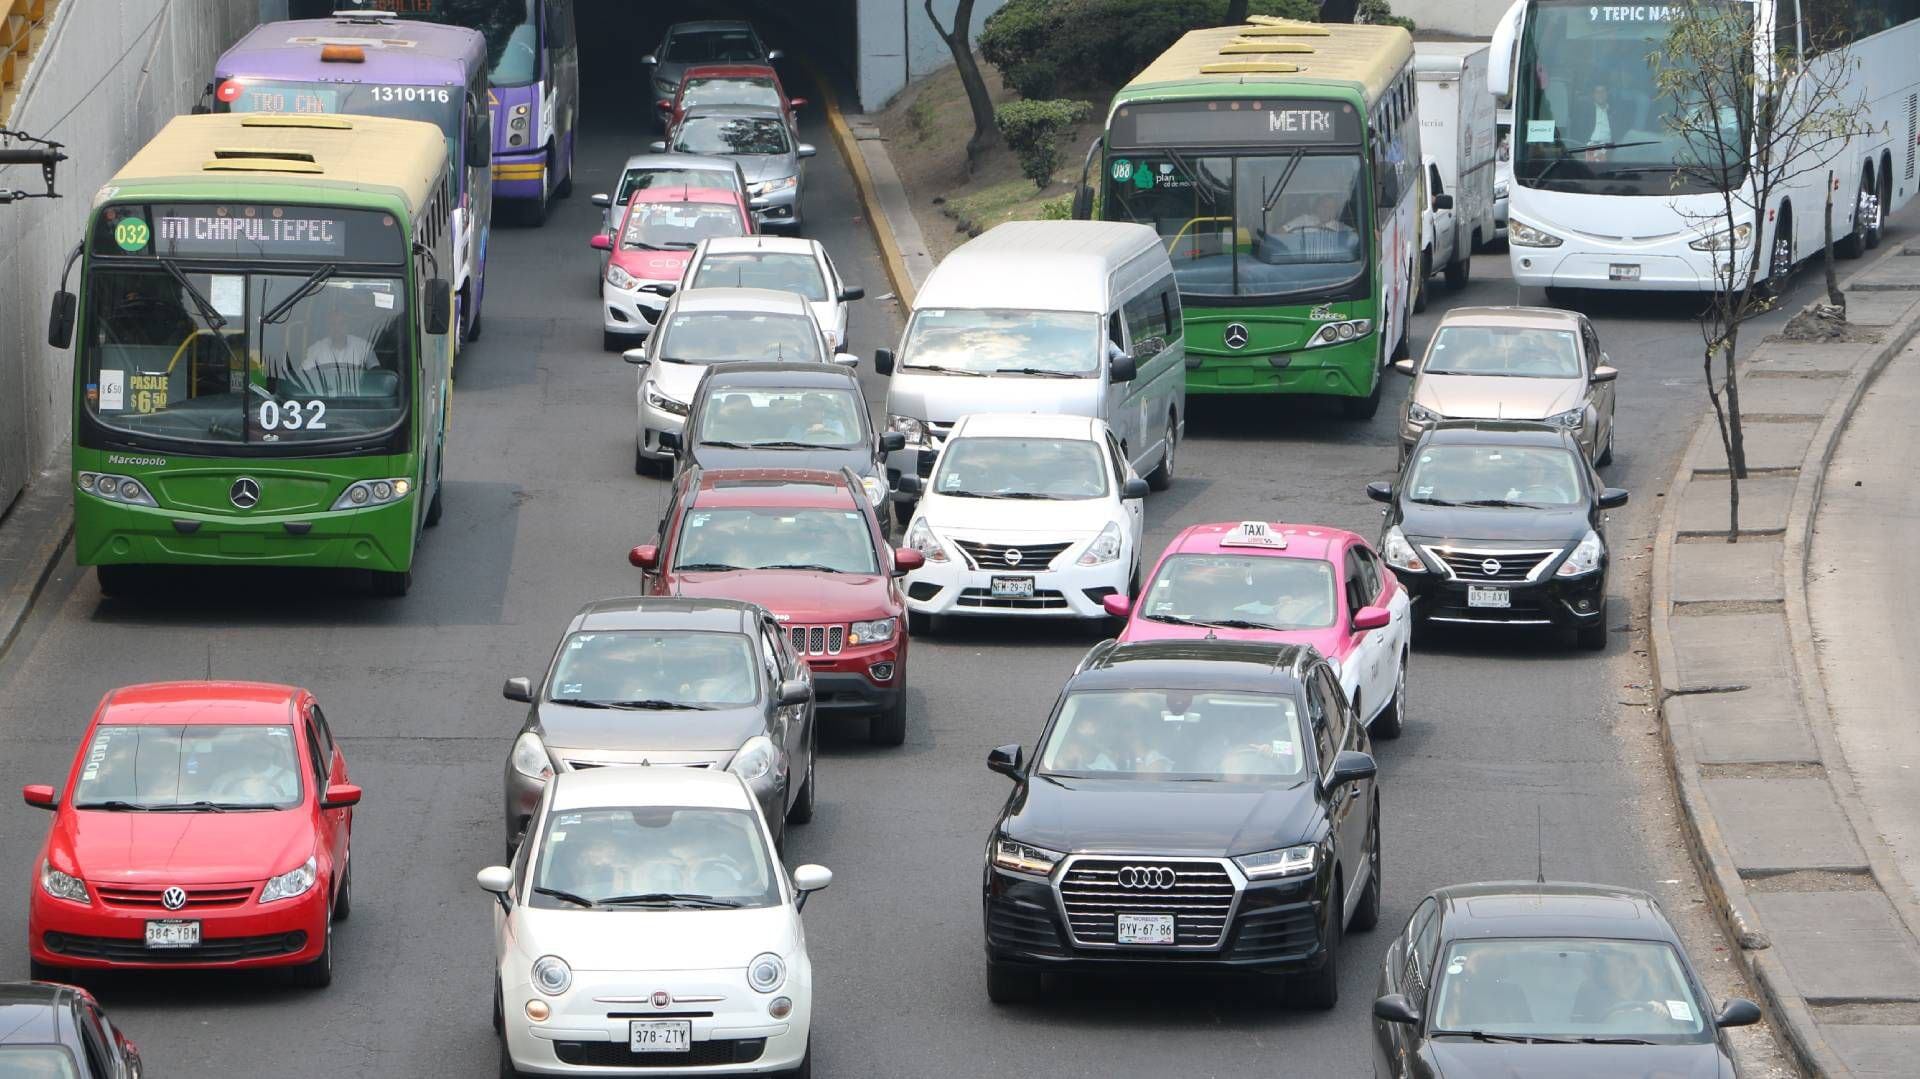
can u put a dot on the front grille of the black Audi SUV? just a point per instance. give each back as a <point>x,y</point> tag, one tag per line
<point>1201,899</point>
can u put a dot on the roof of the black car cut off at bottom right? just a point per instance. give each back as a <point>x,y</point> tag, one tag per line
<point>1556,909</point>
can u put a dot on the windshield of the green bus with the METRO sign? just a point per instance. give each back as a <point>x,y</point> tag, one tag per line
<point>1284,224</point>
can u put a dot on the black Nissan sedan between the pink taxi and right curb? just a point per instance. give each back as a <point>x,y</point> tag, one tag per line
<point>1500,523</point>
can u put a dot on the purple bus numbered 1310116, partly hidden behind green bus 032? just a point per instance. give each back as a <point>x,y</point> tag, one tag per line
<point>370,64</point>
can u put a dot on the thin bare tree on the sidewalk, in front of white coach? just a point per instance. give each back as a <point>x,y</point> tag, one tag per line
<point>1752,126</point>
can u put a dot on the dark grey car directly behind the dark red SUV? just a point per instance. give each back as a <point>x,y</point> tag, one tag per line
<point>786,416</point>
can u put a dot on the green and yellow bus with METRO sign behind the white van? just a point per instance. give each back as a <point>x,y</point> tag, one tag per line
<point>1280,162</point>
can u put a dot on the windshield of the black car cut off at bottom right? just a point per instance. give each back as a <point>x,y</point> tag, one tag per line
<point>1566,990</point>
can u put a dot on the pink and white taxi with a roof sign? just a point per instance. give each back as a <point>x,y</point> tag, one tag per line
<point>1299,585</point>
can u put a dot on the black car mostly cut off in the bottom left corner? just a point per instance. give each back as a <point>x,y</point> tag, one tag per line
<point>60,1030</point>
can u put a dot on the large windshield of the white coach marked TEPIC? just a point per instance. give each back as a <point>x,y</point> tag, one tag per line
<point>1589,116</point>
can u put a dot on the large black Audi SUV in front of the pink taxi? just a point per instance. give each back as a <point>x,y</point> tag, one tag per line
<point>1191,805</point>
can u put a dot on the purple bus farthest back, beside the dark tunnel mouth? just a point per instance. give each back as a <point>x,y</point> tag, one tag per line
<point>535,76</point>
